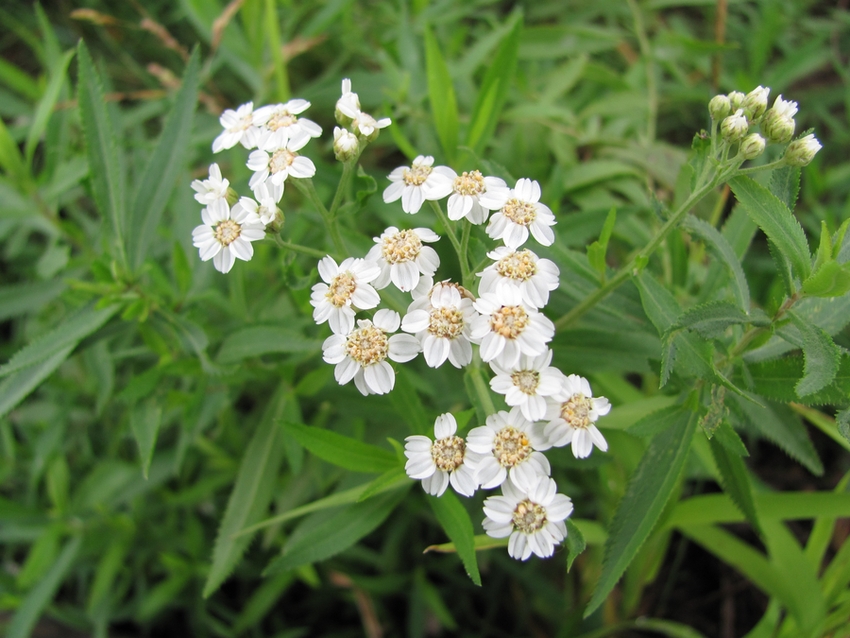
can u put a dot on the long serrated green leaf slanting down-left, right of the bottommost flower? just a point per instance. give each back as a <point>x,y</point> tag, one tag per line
<point>647,493</point>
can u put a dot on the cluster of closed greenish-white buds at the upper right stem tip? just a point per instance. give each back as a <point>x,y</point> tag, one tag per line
<point>737,113</point>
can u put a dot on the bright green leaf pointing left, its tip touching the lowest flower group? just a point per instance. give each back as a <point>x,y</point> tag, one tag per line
<point>343,451</point>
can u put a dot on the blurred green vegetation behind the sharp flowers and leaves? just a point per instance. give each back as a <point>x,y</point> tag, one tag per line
<point>603,101</point>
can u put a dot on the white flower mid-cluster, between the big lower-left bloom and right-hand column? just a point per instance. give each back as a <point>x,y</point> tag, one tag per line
<point>441,321</point>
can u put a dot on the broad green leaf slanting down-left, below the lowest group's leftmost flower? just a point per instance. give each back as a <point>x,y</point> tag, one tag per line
<point>313,543</point>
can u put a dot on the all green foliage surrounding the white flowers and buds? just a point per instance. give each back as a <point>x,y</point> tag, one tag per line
<point>176,458</point>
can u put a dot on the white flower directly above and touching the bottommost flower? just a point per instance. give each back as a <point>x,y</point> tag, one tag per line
<point>509,447</point>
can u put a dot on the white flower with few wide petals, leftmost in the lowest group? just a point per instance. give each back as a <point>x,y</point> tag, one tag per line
<point>446,460</point>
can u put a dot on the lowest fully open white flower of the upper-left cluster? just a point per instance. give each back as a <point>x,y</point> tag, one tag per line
<point>226,235</point>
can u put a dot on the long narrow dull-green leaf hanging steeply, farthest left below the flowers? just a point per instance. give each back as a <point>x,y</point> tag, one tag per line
<point>249,500</point>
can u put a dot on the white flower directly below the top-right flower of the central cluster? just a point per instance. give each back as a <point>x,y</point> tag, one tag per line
<point>534,277</point>
